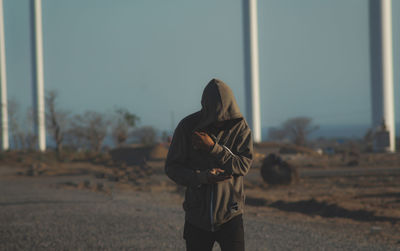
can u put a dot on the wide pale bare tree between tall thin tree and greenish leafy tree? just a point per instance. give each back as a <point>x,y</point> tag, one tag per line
<point>89,130</point>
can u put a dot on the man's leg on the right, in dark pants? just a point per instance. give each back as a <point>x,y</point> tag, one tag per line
<point>231,235</point>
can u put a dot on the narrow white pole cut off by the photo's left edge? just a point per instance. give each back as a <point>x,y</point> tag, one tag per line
<point>3,80</point>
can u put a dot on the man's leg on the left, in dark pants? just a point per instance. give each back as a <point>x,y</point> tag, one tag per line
<point>197,239</point>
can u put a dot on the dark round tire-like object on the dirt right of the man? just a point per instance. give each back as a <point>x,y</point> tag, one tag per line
<point>276,171</point>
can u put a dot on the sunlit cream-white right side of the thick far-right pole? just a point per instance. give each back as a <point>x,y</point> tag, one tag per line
<point>387,70</point>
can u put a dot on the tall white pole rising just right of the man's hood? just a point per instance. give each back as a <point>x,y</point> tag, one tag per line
<point>252,80</point>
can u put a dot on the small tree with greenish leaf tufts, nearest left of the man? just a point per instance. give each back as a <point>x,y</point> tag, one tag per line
<point>123,125</point>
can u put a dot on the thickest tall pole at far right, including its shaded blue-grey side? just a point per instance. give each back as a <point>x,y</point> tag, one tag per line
<point>382,68</point>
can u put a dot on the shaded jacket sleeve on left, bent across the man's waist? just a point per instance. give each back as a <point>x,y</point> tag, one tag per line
<point>176,164</point>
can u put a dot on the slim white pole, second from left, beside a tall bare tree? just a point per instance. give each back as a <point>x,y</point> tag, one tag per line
<point>39,79</point>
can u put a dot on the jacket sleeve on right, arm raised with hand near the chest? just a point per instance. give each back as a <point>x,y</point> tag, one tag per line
<point>236,161</point>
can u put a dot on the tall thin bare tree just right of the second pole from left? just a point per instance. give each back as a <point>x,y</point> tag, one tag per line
<point>56,119</point>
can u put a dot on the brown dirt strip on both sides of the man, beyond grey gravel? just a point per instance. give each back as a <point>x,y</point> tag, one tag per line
<point>366,197</point>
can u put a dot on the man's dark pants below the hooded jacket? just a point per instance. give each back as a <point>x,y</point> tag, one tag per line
<point>230,236</point>
